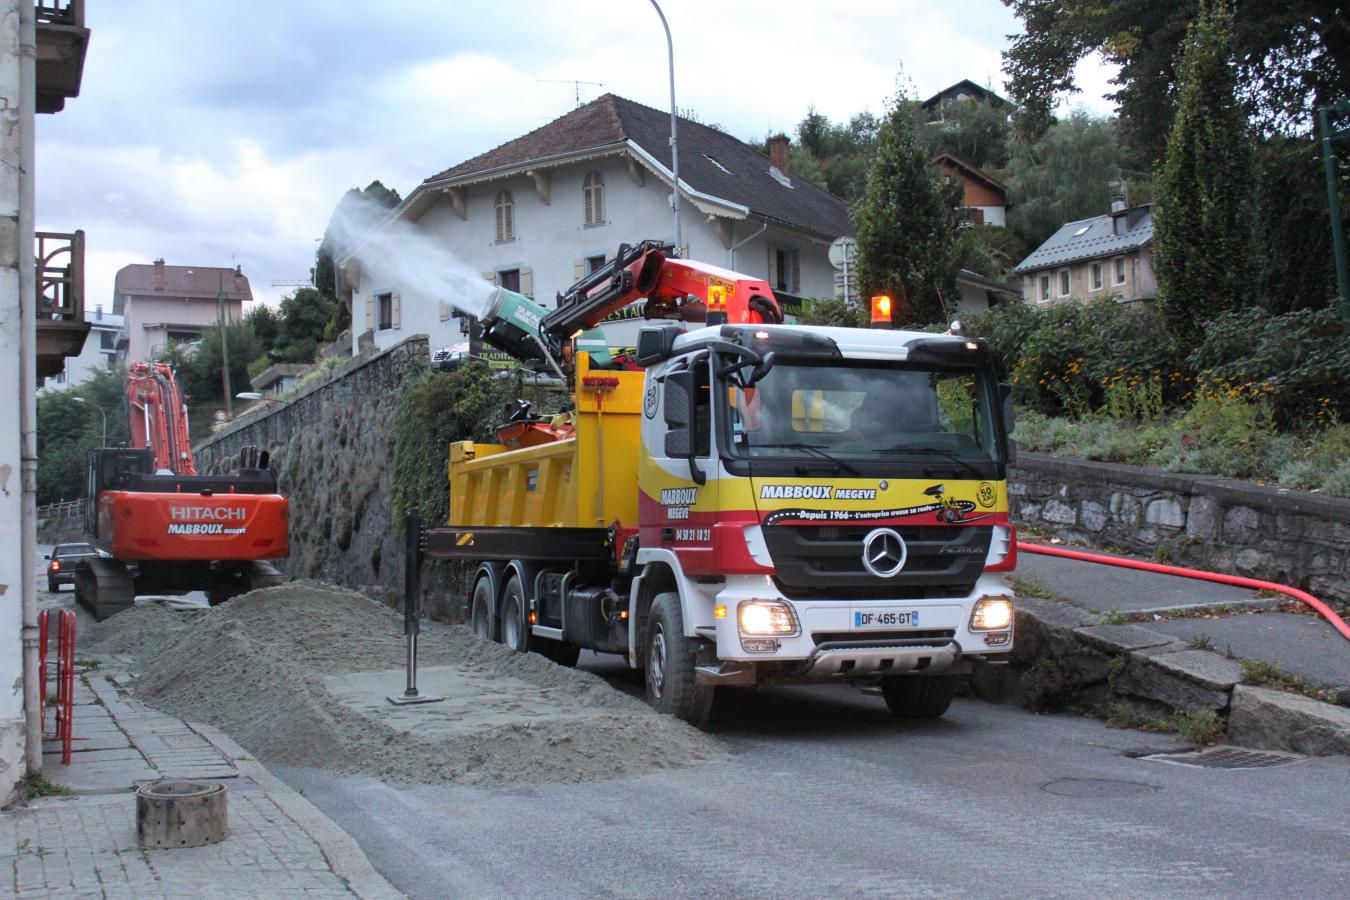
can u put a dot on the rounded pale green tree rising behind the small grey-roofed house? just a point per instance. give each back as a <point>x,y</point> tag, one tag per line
<point>1066,175</point>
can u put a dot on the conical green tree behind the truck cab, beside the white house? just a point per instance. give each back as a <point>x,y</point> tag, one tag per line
<point>905,225</point>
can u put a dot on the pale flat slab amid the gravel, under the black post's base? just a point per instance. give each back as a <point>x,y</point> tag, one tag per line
<point>475,701</point>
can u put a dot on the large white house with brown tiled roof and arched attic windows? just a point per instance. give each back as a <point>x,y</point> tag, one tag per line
<point>542,211</point>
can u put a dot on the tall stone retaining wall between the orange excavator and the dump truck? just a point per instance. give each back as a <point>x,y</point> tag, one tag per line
<point>333,447</point>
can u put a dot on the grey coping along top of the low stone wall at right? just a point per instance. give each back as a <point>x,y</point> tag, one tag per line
<point>1266,497</point>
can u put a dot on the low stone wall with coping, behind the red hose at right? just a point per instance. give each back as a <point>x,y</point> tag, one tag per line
<point>1202,522</point>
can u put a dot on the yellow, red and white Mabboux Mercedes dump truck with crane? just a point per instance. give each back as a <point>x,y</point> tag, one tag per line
<point>740,501</point>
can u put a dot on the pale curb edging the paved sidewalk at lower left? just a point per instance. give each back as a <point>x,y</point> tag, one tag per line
<point>342,852</point>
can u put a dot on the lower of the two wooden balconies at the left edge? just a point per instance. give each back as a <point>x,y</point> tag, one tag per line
<point>61,326</point>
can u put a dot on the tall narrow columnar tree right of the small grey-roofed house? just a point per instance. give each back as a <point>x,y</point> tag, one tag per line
<point>1205,226</point>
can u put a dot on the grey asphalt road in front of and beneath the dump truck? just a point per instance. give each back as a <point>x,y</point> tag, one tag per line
<point>827,795</point>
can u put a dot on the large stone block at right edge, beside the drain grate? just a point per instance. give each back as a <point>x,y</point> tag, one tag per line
<point>1276,721</point>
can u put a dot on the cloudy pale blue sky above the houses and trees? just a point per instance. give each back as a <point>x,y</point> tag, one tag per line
<point>225,132</point>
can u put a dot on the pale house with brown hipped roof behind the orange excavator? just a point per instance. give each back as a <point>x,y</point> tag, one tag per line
<point>164,304</point>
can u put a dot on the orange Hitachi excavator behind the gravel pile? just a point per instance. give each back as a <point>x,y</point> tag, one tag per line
<point>167,528</point>
